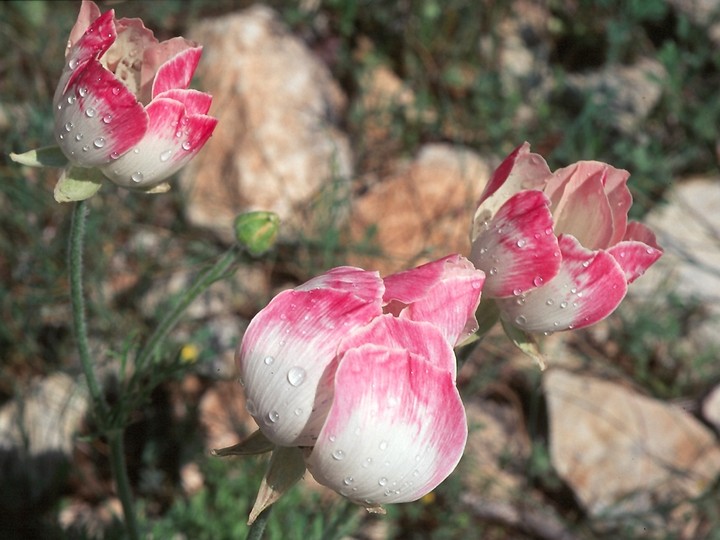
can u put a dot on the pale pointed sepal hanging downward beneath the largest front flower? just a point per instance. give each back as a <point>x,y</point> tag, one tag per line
<point>286,468</point>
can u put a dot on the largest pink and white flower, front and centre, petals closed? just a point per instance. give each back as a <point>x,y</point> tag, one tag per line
<point>360,372</point>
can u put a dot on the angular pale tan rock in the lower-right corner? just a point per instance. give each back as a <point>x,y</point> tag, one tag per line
<point>625,454</point>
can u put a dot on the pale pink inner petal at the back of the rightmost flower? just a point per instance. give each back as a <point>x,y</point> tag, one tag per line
<point>580,206</point>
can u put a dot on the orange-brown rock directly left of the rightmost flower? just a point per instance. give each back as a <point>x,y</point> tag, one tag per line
<point>421,212</point>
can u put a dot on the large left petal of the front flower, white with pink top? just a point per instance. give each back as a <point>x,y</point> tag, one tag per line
<point>287,356</point>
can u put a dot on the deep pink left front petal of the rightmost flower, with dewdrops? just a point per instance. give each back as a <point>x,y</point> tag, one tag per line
<point>517,249</point>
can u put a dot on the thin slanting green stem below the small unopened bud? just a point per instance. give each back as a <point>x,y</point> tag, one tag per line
<point>218,271</point>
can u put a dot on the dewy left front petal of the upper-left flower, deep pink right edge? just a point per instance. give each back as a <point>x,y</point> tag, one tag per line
<point>98,118</point>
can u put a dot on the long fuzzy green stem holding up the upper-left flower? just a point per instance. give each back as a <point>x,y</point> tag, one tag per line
<point>100,405</point>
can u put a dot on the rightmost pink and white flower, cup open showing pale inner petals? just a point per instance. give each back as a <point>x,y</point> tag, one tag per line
<point>557,248</point>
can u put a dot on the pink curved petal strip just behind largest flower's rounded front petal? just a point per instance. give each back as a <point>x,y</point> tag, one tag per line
<point>418,338</point>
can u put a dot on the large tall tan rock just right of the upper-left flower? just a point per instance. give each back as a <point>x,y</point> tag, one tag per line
<point>276,144</point>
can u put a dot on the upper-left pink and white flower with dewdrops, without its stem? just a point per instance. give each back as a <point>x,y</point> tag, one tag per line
<point>123,104</point>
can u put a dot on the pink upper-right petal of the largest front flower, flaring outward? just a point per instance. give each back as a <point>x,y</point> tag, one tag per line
<point>445,293</point>
